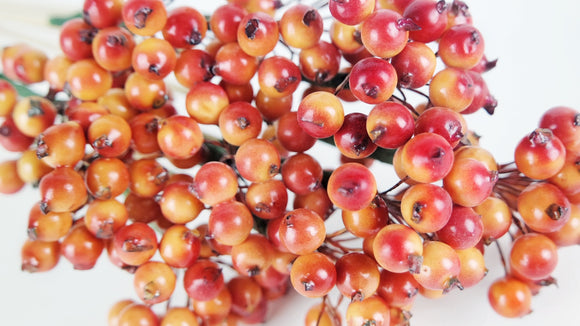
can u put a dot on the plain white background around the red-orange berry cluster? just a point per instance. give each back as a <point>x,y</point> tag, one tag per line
<point>537,46</point>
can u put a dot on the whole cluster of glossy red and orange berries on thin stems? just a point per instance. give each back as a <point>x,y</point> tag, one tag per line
<point>219,194</point>
